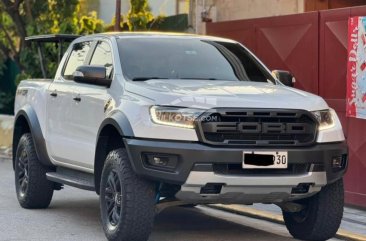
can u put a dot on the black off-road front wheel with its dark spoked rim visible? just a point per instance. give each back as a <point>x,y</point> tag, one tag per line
<point>136,207</point>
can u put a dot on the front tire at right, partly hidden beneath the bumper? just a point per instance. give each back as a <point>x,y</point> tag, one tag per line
<point>322,216</point>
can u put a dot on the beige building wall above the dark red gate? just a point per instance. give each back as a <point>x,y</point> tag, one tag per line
<point>226,10</point>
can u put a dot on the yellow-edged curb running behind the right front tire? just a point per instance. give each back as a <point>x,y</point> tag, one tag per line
<point>275,218</point>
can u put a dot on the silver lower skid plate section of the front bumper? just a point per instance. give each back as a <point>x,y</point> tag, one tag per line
<point>249,190</point>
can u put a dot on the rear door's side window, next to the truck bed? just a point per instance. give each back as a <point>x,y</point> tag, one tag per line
<point>76,59</point>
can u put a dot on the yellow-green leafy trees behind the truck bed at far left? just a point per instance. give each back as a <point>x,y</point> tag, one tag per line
<point>22,18</point>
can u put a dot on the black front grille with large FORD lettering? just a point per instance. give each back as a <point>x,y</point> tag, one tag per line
<point>259,127</point>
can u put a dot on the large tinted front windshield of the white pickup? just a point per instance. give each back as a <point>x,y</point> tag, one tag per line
<point>170,58</point>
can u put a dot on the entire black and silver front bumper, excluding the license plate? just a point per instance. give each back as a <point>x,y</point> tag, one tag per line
<point>214,175</point>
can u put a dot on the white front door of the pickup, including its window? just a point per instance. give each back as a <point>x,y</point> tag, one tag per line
<point>88,109</point>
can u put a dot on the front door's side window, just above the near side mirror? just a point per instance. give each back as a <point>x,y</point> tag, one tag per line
<point>103,56</point>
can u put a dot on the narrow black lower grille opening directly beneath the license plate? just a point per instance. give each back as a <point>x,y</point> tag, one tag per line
<point>237,169</point>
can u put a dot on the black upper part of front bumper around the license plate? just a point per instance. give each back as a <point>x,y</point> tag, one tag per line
<point>192,156</point>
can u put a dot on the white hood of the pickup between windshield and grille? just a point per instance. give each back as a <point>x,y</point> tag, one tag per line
<point>213,93</point>
